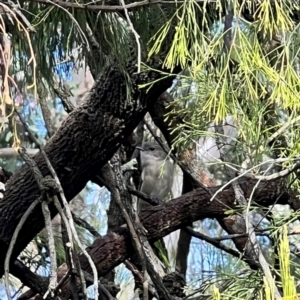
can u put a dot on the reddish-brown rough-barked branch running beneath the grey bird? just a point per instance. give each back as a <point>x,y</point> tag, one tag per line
<point>115,247</point>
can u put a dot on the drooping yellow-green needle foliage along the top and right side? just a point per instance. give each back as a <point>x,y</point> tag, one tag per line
<point>239,58</point>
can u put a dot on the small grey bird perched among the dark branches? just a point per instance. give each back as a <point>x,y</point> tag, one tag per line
<point>157,173</point>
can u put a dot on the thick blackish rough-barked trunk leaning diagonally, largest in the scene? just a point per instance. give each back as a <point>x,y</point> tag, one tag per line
<point>86,140</point>
